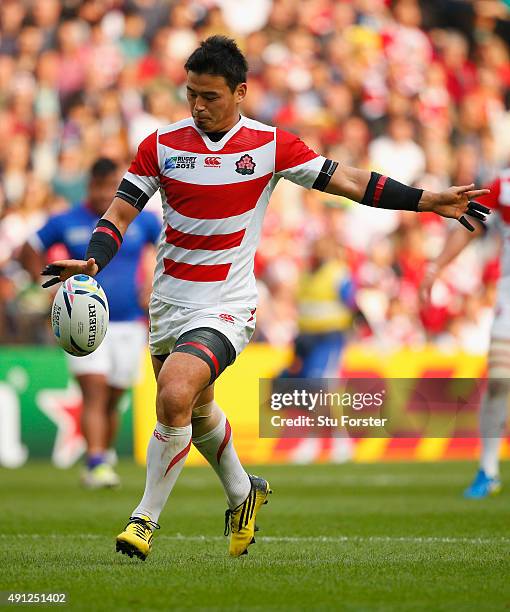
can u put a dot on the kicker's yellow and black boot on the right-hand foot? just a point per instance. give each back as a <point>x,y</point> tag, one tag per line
<point>240,522</point>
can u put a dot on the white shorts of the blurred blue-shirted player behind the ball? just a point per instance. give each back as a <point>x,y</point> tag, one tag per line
<point>118,356</point>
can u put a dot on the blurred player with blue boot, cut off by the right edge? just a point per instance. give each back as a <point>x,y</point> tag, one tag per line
<point>494,407</point>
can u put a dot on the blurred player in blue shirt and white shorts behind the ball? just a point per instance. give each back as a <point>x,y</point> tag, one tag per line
<point>104,375</point>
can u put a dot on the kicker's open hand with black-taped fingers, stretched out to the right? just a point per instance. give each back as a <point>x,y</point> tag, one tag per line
<point>455,202</point>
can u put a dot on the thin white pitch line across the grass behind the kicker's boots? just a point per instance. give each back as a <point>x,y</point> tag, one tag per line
<point>278,539</point>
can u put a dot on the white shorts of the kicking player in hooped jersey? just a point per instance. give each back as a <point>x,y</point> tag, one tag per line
<point>169,321</point>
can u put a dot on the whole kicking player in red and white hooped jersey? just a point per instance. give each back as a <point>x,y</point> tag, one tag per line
<point>216,171</point>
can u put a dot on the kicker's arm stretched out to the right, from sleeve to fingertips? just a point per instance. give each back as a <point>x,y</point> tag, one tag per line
<point>373,189</point>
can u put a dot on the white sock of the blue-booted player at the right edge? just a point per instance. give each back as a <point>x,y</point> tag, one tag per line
<point>492,426</point>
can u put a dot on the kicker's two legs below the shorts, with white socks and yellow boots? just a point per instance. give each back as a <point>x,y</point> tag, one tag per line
<point>185,406</point>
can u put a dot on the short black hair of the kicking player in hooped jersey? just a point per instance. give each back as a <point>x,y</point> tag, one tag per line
<point>219,56</point>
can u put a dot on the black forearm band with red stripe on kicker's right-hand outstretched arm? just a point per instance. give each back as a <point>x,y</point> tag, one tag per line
<point>385,192</point>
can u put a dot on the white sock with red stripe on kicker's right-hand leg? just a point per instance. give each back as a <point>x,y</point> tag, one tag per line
<point>217,447</point>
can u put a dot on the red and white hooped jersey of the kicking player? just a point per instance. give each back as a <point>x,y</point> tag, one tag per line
<point>215,195</point>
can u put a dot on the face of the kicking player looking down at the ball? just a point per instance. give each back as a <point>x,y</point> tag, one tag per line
<point>214,107</point>
